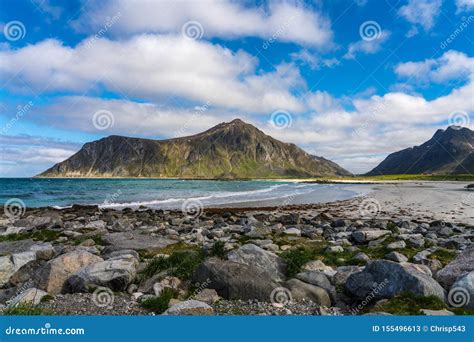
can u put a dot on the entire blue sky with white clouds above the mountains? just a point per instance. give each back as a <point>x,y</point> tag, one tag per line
<point>349,80</point>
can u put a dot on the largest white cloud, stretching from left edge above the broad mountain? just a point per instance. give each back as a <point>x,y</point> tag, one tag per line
<point>153,67</point>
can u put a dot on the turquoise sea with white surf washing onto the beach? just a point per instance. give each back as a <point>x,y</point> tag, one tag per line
<point>169,193</point>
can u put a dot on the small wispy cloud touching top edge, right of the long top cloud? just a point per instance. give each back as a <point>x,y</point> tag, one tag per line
<point>421,12</point>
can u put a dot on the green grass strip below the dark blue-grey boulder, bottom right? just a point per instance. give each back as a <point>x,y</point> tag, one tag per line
<point>410,304</point>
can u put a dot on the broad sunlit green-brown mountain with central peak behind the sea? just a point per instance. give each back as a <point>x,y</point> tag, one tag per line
<point>229,150</point>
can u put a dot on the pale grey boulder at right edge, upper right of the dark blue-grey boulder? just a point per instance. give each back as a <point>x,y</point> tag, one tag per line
<point>463,263</point>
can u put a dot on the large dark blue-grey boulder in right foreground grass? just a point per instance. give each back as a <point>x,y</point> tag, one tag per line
<point>390,279</point>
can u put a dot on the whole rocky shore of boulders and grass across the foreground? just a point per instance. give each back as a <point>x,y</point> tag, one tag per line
<point>293,260</point>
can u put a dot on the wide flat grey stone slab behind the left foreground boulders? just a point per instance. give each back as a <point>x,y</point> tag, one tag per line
<point>137,241</point>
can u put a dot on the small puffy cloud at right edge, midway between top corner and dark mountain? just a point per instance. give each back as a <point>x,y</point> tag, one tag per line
<point>451,65</point>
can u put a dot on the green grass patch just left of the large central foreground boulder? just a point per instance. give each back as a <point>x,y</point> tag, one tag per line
<point>180,264</point>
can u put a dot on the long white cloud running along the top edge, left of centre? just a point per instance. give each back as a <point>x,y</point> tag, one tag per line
<point>289,21</point>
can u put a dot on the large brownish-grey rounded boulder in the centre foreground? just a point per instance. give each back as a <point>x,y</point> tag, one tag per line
<point>234,280</point>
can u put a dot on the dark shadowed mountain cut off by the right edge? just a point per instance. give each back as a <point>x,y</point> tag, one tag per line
<point>449,151</point>
